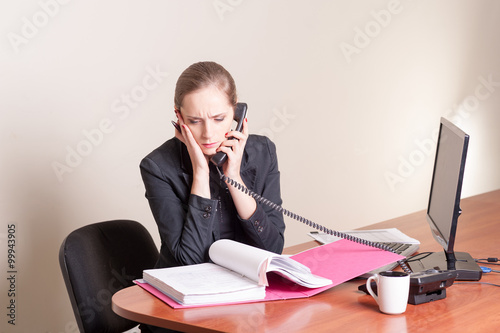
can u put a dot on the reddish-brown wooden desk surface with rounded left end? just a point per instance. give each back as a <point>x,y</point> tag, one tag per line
<point>466,308</point>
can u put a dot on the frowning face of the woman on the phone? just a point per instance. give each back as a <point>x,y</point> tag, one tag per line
<point>209,116</point>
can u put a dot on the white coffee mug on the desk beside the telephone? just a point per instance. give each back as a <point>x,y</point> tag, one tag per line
<point>392,291</point>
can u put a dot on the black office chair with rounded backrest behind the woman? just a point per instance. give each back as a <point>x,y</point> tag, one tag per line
<point>98,260</point>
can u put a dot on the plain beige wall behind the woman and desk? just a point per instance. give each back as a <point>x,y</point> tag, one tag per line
<point>351,92</point>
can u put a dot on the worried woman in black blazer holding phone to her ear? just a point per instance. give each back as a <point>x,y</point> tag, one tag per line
<point>191,205</point>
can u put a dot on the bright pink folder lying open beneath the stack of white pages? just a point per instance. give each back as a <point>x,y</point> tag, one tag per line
<point>339,261</point>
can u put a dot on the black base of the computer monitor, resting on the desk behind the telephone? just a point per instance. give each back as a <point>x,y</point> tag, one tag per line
<point>462,262</point>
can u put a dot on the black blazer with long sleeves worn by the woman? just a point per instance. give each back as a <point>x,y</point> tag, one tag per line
<point>188,224</point>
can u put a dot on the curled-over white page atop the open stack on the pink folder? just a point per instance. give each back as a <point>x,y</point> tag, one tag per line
<point>240,258</point>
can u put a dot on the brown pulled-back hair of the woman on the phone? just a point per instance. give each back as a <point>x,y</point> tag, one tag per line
<point>201,75</point>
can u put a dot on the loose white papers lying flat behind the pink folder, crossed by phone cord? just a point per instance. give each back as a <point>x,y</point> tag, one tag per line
<point>390,235</point>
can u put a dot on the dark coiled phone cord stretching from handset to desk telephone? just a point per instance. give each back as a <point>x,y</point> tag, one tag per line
<point>310,223</point>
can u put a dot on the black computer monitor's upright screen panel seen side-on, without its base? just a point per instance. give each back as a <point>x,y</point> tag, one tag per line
<point>444,200</point>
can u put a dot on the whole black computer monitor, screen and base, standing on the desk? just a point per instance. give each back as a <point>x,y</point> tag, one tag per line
<point>444,209</point>
